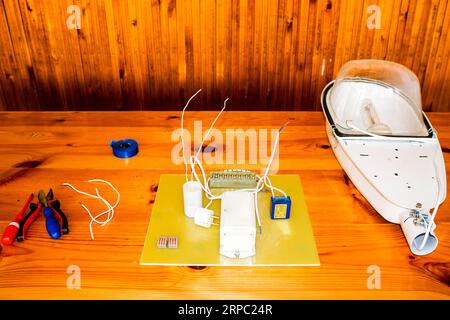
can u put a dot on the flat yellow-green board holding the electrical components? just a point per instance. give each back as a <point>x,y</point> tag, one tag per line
<point>282,242</point>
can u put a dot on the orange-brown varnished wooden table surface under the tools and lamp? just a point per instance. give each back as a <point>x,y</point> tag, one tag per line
<point>43,150</point>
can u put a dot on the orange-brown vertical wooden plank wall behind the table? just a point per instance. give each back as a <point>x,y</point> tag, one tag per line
<point>264,54</point>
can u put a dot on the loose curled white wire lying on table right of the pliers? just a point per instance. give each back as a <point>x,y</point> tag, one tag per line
<point>109,212</point>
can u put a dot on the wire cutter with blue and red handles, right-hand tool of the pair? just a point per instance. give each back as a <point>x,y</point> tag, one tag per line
<point>55,220</point>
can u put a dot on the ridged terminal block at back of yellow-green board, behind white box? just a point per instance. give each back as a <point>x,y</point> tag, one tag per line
<point>233,179</point>
